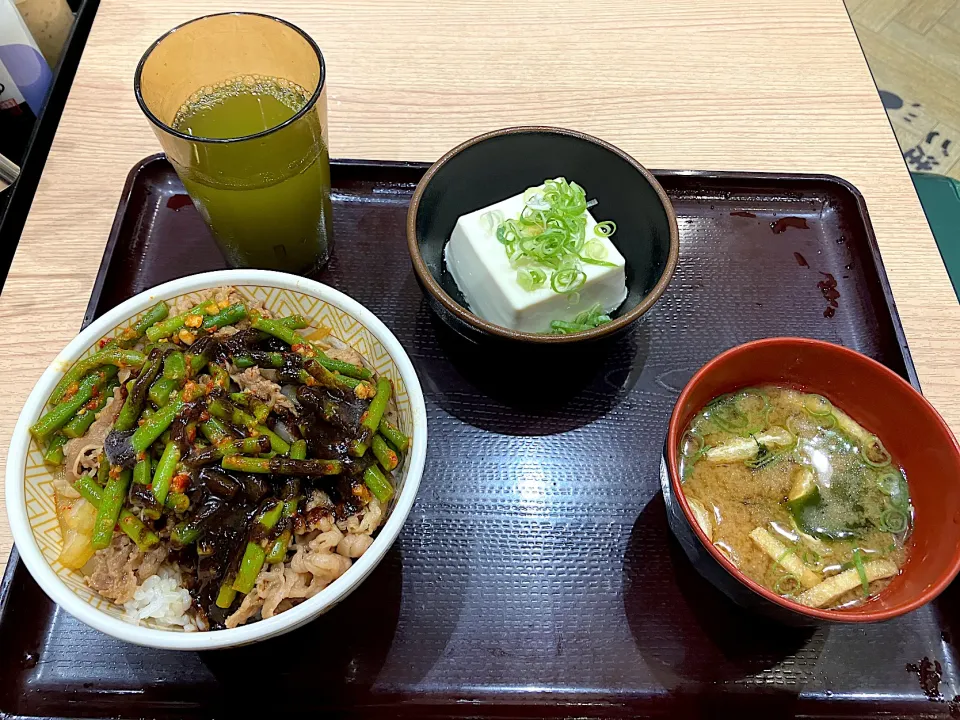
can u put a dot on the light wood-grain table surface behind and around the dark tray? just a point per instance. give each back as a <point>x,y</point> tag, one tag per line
<point>732,85</point>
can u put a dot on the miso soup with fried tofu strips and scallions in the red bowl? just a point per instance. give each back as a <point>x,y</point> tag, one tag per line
<point>798,495</point>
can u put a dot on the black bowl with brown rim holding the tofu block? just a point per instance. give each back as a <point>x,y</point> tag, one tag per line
<point>503,163</point>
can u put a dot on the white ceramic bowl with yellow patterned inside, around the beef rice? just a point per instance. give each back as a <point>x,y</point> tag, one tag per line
<point>28,481</point>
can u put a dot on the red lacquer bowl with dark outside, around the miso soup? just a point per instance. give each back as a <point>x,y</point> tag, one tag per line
<point>880,400</point>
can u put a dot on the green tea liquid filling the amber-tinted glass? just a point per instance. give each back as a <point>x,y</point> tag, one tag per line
<point>266,198</point>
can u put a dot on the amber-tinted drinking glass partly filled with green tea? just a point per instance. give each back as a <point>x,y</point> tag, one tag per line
<point>239,104</point>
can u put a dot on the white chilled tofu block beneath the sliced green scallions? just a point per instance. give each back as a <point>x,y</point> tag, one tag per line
<point>483,272</point>
